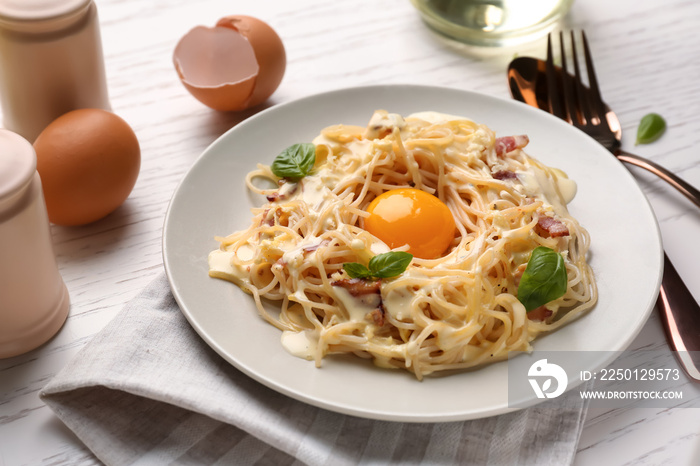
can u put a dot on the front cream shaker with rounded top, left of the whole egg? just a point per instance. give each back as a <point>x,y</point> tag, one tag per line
<point>34,301</point>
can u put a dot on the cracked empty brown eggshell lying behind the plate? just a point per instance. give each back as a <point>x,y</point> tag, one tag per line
<point>233,66</point>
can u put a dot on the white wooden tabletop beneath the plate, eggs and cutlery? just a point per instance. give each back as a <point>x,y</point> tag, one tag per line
<point>647,60</point>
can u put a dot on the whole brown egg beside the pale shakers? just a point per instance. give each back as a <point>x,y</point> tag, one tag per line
<point>88,161</point>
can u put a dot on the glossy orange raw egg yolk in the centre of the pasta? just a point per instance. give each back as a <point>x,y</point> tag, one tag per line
<point>413,217</point>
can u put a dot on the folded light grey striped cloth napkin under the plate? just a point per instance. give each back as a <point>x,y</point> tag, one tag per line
<point>148,390</point>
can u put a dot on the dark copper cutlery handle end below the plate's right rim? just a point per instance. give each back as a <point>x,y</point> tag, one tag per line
<point>680,314</point>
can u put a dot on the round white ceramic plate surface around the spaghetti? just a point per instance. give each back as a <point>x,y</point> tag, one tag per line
<point>212,200</point>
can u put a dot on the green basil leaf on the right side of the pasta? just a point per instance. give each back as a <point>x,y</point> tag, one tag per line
<point>544,279</point>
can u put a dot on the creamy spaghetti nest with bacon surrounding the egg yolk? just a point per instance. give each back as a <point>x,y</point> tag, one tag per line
<point>455,311</point>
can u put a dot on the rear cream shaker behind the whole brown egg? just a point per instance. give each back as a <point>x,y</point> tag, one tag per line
<point>51,62</point>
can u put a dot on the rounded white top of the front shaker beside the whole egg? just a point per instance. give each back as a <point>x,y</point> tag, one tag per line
<point>17,163</point>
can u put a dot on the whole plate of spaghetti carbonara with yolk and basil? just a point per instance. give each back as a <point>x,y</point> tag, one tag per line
<point>382,251</point>
